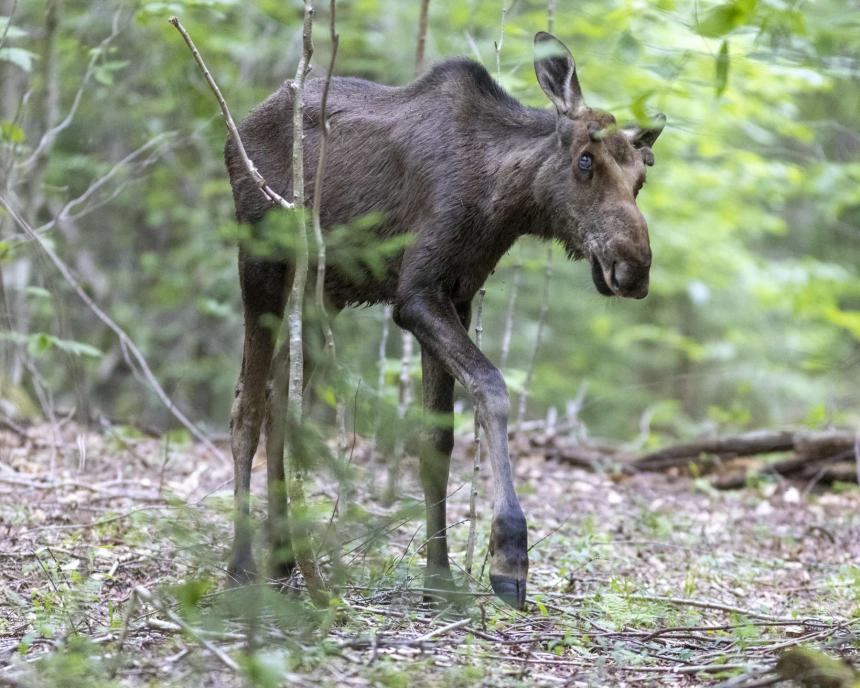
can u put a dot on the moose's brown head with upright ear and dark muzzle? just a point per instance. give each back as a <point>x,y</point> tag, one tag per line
<point>607,171</point>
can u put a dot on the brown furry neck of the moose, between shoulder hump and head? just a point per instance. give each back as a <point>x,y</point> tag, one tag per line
<point>532,188</point>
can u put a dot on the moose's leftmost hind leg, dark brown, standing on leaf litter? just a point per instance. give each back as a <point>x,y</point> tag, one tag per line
<point>262,295</point>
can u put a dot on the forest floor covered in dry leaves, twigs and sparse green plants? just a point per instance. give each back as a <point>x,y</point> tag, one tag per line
<point>112,547</point>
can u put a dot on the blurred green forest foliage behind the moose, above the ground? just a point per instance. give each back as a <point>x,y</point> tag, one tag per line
<point>754,205</point>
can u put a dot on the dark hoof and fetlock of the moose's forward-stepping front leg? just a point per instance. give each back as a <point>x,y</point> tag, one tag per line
<point>509,560</point>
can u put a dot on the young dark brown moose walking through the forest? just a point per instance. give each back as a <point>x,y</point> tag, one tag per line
<point>465,169</point>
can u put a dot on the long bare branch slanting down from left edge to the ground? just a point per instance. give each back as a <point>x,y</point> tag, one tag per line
<point>129,348</point>
